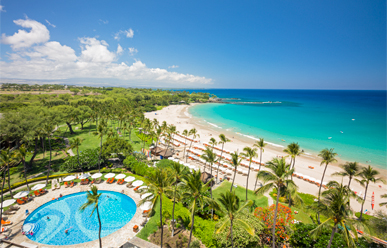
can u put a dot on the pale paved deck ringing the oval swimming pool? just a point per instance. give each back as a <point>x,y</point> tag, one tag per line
<point>115,239</point>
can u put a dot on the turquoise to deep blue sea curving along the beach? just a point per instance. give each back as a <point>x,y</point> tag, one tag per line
<point>352,122</point>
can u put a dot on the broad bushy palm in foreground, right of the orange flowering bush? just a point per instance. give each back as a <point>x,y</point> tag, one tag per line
<point>335,206</point>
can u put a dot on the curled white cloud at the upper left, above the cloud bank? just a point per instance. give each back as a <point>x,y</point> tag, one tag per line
<point>38,34</point>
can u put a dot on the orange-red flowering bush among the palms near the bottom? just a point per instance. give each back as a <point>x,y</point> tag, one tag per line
<point>284,220</point>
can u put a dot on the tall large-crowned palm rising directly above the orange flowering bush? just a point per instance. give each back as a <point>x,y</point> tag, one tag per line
<point>277,177</point>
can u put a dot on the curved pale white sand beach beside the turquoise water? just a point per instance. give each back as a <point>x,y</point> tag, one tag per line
<point>178,115</point>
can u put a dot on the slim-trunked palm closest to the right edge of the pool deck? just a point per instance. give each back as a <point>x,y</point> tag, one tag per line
<point>158,184</point>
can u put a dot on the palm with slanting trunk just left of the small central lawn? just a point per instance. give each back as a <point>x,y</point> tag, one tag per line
<point>193,188</point>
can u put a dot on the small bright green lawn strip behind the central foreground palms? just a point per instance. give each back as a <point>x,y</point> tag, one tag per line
<point>258,201</point>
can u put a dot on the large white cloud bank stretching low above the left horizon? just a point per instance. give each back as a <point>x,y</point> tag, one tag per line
<point>54,61</point>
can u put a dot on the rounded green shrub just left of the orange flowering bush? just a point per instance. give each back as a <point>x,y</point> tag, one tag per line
<point>240,236</point>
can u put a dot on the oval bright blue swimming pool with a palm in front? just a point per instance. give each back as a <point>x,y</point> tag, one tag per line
<point>115,210</point>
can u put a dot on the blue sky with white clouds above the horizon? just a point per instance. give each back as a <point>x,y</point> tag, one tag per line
<point>264,44</point>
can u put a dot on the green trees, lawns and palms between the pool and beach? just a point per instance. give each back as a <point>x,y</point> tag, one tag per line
<point>104,123</point>
